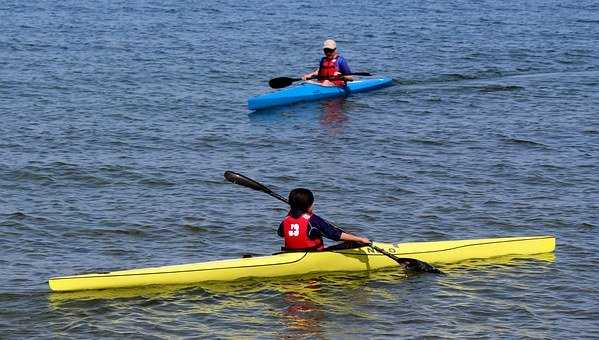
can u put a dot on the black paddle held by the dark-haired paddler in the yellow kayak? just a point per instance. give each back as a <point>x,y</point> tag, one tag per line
<point>408,263</point>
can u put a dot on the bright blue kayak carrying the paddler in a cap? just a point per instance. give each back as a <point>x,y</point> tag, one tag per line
<point>312,91</point>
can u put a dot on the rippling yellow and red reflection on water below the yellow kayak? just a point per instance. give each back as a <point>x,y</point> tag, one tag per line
<point>294,307</point>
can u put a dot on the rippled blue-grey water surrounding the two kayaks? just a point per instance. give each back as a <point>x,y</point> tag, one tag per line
<point>118,120</point>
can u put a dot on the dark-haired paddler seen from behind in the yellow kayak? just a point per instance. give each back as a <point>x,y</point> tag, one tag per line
<point>303,230</point>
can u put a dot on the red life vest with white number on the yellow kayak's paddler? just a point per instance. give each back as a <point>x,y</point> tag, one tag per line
<point>295,232</point>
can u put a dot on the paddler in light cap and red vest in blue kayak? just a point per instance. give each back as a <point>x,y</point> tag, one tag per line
<point>333,69</point>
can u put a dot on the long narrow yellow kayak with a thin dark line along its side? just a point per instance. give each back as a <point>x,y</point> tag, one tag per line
<point>286,264</point>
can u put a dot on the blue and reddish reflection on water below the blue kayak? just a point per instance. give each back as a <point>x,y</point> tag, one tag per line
<point>331,114</point>
